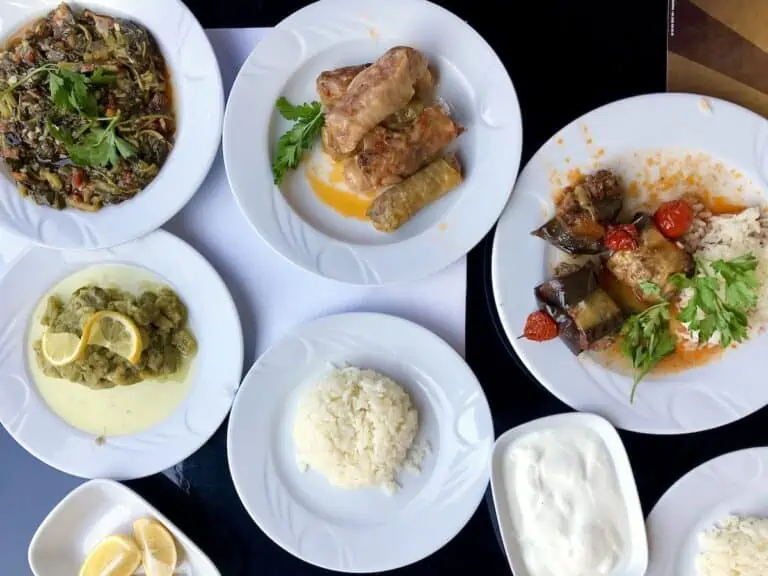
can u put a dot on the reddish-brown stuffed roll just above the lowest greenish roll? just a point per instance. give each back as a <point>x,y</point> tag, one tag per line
<point>387,157</point>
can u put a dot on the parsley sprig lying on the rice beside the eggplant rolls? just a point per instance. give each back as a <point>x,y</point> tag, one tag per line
<point>724,292</point>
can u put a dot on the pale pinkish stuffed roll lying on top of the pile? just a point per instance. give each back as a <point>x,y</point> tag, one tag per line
<point>375,93</point>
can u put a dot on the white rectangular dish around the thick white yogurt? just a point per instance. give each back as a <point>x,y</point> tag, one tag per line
<point>637,559</point>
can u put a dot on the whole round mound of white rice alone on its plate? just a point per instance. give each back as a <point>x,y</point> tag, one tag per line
<point>358,429</point>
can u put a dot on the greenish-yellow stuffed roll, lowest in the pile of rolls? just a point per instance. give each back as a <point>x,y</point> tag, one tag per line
<point>399,203</point>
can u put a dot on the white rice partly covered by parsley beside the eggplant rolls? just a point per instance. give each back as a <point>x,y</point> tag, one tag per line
<point>727,237</point>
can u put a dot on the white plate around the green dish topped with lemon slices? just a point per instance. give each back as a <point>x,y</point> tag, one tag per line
<point>215,374</point>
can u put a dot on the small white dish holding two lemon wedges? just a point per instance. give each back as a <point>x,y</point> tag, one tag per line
<point>90,513</point>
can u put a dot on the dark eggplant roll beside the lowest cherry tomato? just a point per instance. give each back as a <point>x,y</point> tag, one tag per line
<point>585,313</point>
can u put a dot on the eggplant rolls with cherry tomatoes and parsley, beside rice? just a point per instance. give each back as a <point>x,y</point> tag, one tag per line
<point>643,287</point>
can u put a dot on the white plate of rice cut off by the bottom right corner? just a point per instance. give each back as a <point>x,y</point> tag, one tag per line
<point>714,520</point>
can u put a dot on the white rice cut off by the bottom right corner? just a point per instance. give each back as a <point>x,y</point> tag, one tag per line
<point>737,547</point>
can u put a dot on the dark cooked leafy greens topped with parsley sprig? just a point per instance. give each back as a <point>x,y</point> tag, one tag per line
<point>86,112</point>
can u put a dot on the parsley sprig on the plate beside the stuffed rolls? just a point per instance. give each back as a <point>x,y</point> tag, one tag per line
<point>309,119</point>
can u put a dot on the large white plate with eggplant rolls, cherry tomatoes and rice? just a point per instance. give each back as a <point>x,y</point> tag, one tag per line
<point>630,267</point>
